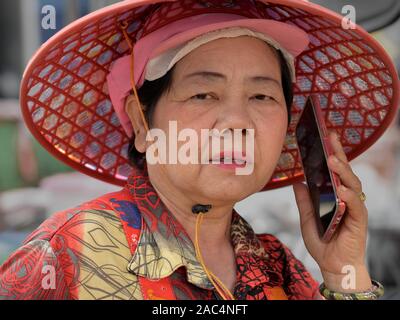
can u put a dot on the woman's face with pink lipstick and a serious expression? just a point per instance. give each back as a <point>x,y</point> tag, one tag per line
<point>237,86</point>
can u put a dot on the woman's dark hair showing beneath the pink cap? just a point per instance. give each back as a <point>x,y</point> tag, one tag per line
<point>151,92</point>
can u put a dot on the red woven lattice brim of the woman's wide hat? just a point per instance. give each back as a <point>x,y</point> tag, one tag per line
<point>68,109</point>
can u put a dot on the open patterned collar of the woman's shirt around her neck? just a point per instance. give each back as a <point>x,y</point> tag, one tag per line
<point>164,246</point>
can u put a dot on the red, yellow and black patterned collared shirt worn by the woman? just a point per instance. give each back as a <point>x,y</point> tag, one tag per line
<point>128,245</point>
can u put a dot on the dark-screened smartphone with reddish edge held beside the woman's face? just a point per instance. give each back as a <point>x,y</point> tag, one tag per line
<point>315,148</point>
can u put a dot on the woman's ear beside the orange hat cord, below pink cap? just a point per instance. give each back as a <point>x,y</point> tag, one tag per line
<point>139,130</point>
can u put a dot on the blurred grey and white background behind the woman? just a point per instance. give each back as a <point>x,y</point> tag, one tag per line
<point>34,185</point>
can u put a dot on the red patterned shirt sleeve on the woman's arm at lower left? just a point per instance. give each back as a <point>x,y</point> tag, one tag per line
<point>33,272</point>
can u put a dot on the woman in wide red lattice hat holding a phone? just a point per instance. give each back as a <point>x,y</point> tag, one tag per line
<point>231,68</point>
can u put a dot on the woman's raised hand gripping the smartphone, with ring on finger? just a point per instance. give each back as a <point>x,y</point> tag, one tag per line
<point>345,252</point>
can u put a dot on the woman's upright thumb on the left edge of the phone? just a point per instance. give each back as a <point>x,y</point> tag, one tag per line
<point>306,210</point>
